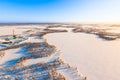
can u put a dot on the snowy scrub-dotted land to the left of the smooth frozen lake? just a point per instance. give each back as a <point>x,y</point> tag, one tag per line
<point>30,57</point>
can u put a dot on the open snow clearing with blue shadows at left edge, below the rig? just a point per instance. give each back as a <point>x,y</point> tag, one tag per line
<point>12,55</point>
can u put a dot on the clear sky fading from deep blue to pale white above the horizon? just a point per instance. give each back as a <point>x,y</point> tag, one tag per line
<point>87,11</point>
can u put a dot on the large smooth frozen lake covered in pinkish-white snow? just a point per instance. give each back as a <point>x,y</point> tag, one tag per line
<point>95,58</point>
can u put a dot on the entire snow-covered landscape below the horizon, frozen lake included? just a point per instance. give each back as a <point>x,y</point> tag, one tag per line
<point>78,52</point>
